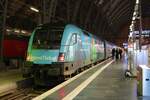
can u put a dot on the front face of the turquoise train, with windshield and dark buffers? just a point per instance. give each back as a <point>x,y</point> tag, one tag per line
<point>43,53</point>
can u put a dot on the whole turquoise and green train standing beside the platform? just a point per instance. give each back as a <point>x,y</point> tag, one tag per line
<point>56,52</point>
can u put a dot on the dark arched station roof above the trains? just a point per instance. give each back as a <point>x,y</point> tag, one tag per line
<point>104,18</point>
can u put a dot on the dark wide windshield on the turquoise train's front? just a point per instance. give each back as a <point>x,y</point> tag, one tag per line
<point>47,38</point>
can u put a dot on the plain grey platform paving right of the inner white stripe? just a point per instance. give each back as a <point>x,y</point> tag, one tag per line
<point>110,85</point>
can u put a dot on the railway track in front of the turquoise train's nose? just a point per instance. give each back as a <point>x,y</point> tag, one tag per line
<point>22,90</point>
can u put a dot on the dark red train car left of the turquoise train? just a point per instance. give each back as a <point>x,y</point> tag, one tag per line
<point>15,48</point>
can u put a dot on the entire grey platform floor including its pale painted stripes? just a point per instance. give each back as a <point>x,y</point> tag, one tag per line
<point>110,84</point>
